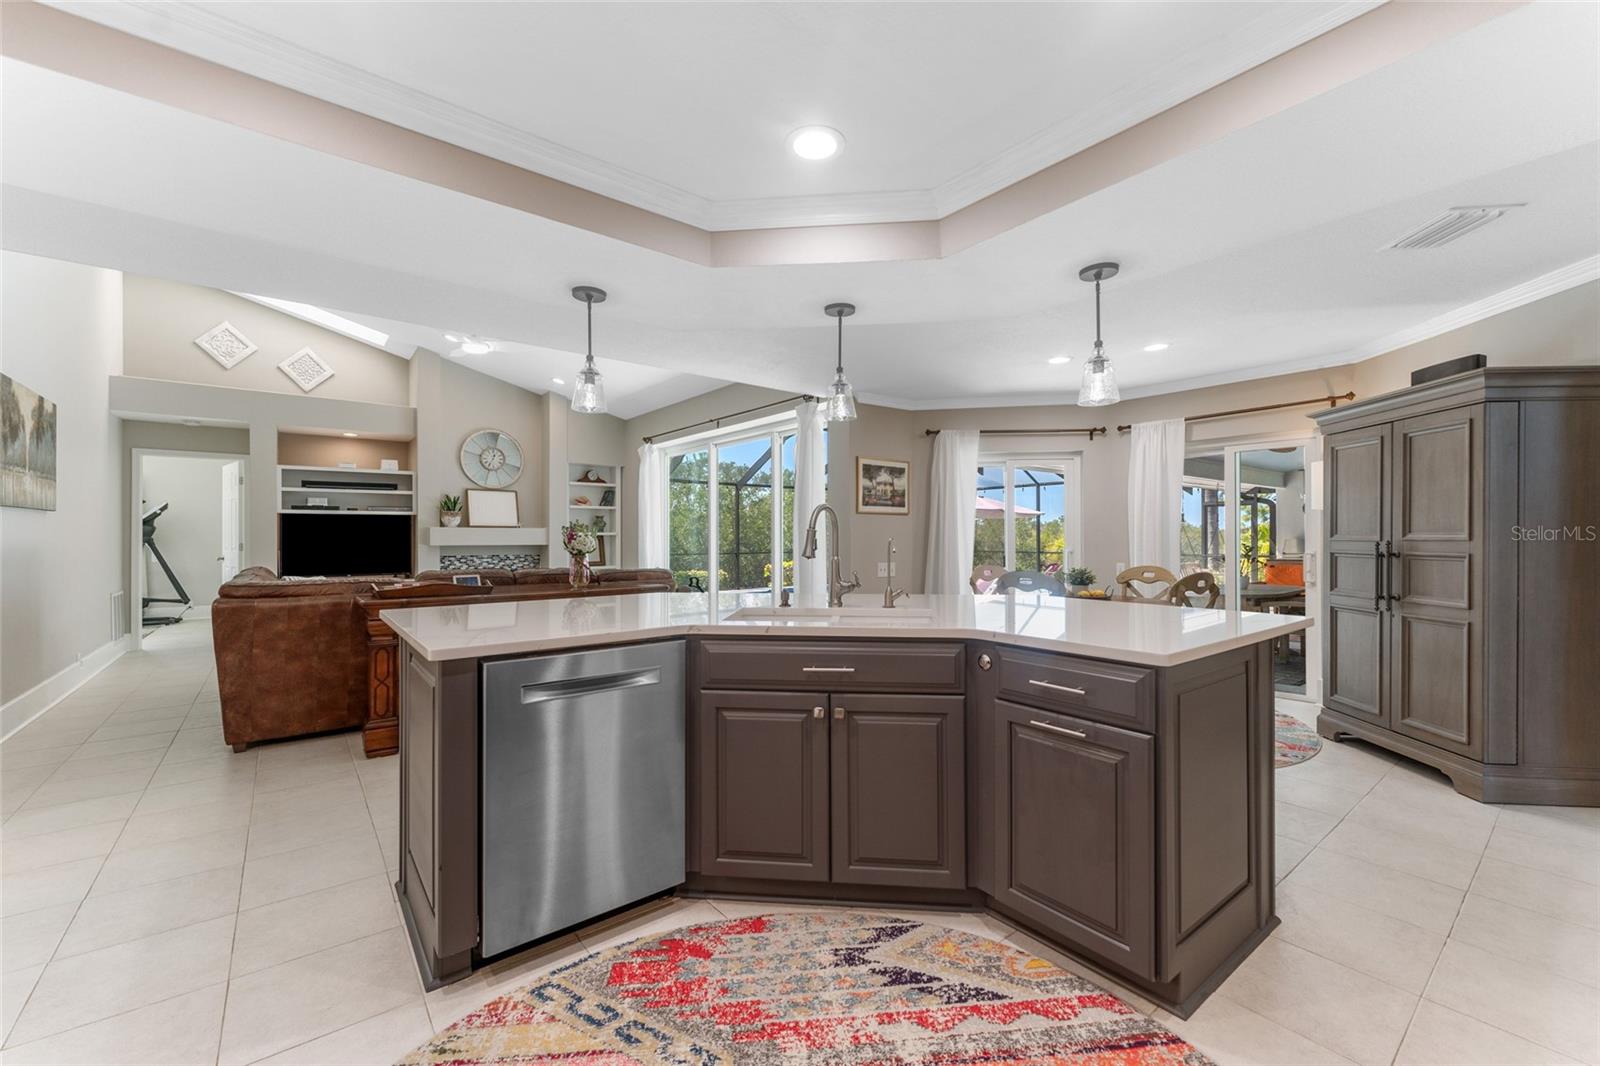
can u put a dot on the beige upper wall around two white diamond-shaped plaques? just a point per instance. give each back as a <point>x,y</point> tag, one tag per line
<point>164,319</point>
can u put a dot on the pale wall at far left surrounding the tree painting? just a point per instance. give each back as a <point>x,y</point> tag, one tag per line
<point>62,337</point>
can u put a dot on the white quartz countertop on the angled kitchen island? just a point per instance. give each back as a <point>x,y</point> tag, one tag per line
<point>1108,630</point>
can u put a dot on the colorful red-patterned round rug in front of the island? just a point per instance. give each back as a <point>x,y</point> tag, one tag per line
<point>847,988</point>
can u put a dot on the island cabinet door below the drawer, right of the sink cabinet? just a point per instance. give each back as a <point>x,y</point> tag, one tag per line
<point>1076,832</point>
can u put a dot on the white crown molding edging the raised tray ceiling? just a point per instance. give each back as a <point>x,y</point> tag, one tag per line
<point>210,34</point>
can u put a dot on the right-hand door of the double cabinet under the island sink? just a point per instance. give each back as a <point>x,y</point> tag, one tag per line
<point>900,791</point>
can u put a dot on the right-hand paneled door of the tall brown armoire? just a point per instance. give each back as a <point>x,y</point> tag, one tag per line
<point>1436,623</point>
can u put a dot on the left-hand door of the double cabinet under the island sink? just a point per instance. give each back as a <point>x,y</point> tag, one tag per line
<point>764,785</point>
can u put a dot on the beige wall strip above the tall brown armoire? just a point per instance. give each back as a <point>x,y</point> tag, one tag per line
<point>1559,331</point>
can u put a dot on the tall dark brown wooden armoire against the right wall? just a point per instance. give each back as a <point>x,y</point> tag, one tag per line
<point>1446,507</point>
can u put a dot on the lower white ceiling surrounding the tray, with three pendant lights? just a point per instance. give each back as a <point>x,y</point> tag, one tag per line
<point>1255,255</point>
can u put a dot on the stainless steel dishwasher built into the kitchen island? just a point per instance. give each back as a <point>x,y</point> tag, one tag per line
<point>583,787</point>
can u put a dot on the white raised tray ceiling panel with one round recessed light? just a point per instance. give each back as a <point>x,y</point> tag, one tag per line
<point>686,108</point>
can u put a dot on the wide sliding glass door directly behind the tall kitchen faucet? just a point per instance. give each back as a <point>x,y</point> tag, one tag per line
<point>729,511</point>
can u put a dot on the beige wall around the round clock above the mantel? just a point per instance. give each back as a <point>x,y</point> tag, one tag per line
<point>454,403</point>
